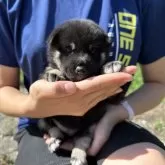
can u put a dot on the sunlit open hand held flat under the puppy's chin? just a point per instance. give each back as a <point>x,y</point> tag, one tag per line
<point>73,98</point>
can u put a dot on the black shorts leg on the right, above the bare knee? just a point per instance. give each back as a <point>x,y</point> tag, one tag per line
<point>126,134</point>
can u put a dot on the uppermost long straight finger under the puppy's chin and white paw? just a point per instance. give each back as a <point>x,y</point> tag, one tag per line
<point>103,81</point>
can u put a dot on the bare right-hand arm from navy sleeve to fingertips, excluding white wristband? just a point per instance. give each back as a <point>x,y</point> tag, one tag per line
<point>141,100</point>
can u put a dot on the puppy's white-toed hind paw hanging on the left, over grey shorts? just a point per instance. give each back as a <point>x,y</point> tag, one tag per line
<point>53,144</point>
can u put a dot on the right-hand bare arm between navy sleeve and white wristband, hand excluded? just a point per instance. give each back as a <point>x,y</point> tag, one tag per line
<point>153,90</point>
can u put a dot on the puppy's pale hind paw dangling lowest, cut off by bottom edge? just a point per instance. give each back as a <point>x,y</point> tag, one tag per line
<point>78,157</point>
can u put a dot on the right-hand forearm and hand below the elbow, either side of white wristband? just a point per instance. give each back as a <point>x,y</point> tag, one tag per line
<point>140,102</point>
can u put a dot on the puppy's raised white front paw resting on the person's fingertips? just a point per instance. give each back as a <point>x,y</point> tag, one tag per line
<point>113,67</point>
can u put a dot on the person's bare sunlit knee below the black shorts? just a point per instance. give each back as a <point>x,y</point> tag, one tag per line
<point>141,153</point>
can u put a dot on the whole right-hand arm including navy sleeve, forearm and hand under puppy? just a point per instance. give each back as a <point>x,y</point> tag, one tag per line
<point>152,60</point>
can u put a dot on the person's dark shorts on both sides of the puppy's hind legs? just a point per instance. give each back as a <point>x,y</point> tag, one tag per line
<point>33,150</point>
